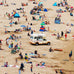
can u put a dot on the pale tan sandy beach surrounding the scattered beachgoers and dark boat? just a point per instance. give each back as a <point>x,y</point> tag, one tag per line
<point>58,59</point>
